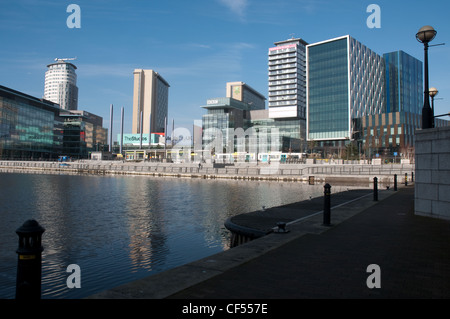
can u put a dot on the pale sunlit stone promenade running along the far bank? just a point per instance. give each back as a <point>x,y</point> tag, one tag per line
<point>328,173</point>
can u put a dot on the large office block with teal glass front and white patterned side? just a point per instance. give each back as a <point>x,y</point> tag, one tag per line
<point>345,81</point>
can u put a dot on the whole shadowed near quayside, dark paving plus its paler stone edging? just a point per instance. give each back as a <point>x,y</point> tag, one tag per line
<point>316,261</point>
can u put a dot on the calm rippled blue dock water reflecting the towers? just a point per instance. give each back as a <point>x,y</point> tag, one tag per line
<point>121,228</point>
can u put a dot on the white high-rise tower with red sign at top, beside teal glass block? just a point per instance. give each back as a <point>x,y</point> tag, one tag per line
<point>287,79</point>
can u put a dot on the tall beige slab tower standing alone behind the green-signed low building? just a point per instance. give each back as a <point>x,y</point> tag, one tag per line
<point>151,99</point>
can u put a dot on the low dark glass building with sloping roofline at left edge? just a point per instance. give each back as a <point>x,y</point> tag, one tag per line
<point>30,128</point>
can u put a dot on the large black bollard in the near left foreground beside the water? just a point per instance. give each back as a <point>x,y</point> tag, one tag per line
<point>29,265</point>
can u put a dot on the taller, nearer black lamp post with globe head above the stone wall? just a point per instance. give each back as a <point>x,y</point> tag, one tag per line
<point>425,35</point>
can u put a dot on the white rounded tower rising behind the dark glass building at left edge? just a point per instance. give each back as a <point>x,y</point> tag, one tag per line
<point>61,84</point>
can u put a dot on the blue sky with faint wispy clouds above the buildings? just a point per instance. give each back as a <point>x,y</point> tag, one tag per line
<point>197,46</point>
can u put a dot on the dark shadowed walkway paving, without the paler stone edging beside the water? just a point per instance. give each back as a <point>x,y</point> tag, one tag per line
<point>413,253</point>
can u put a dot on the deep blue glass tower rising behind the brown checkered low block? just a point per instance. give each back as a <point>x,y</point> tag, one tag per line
<point>404,83</point>
